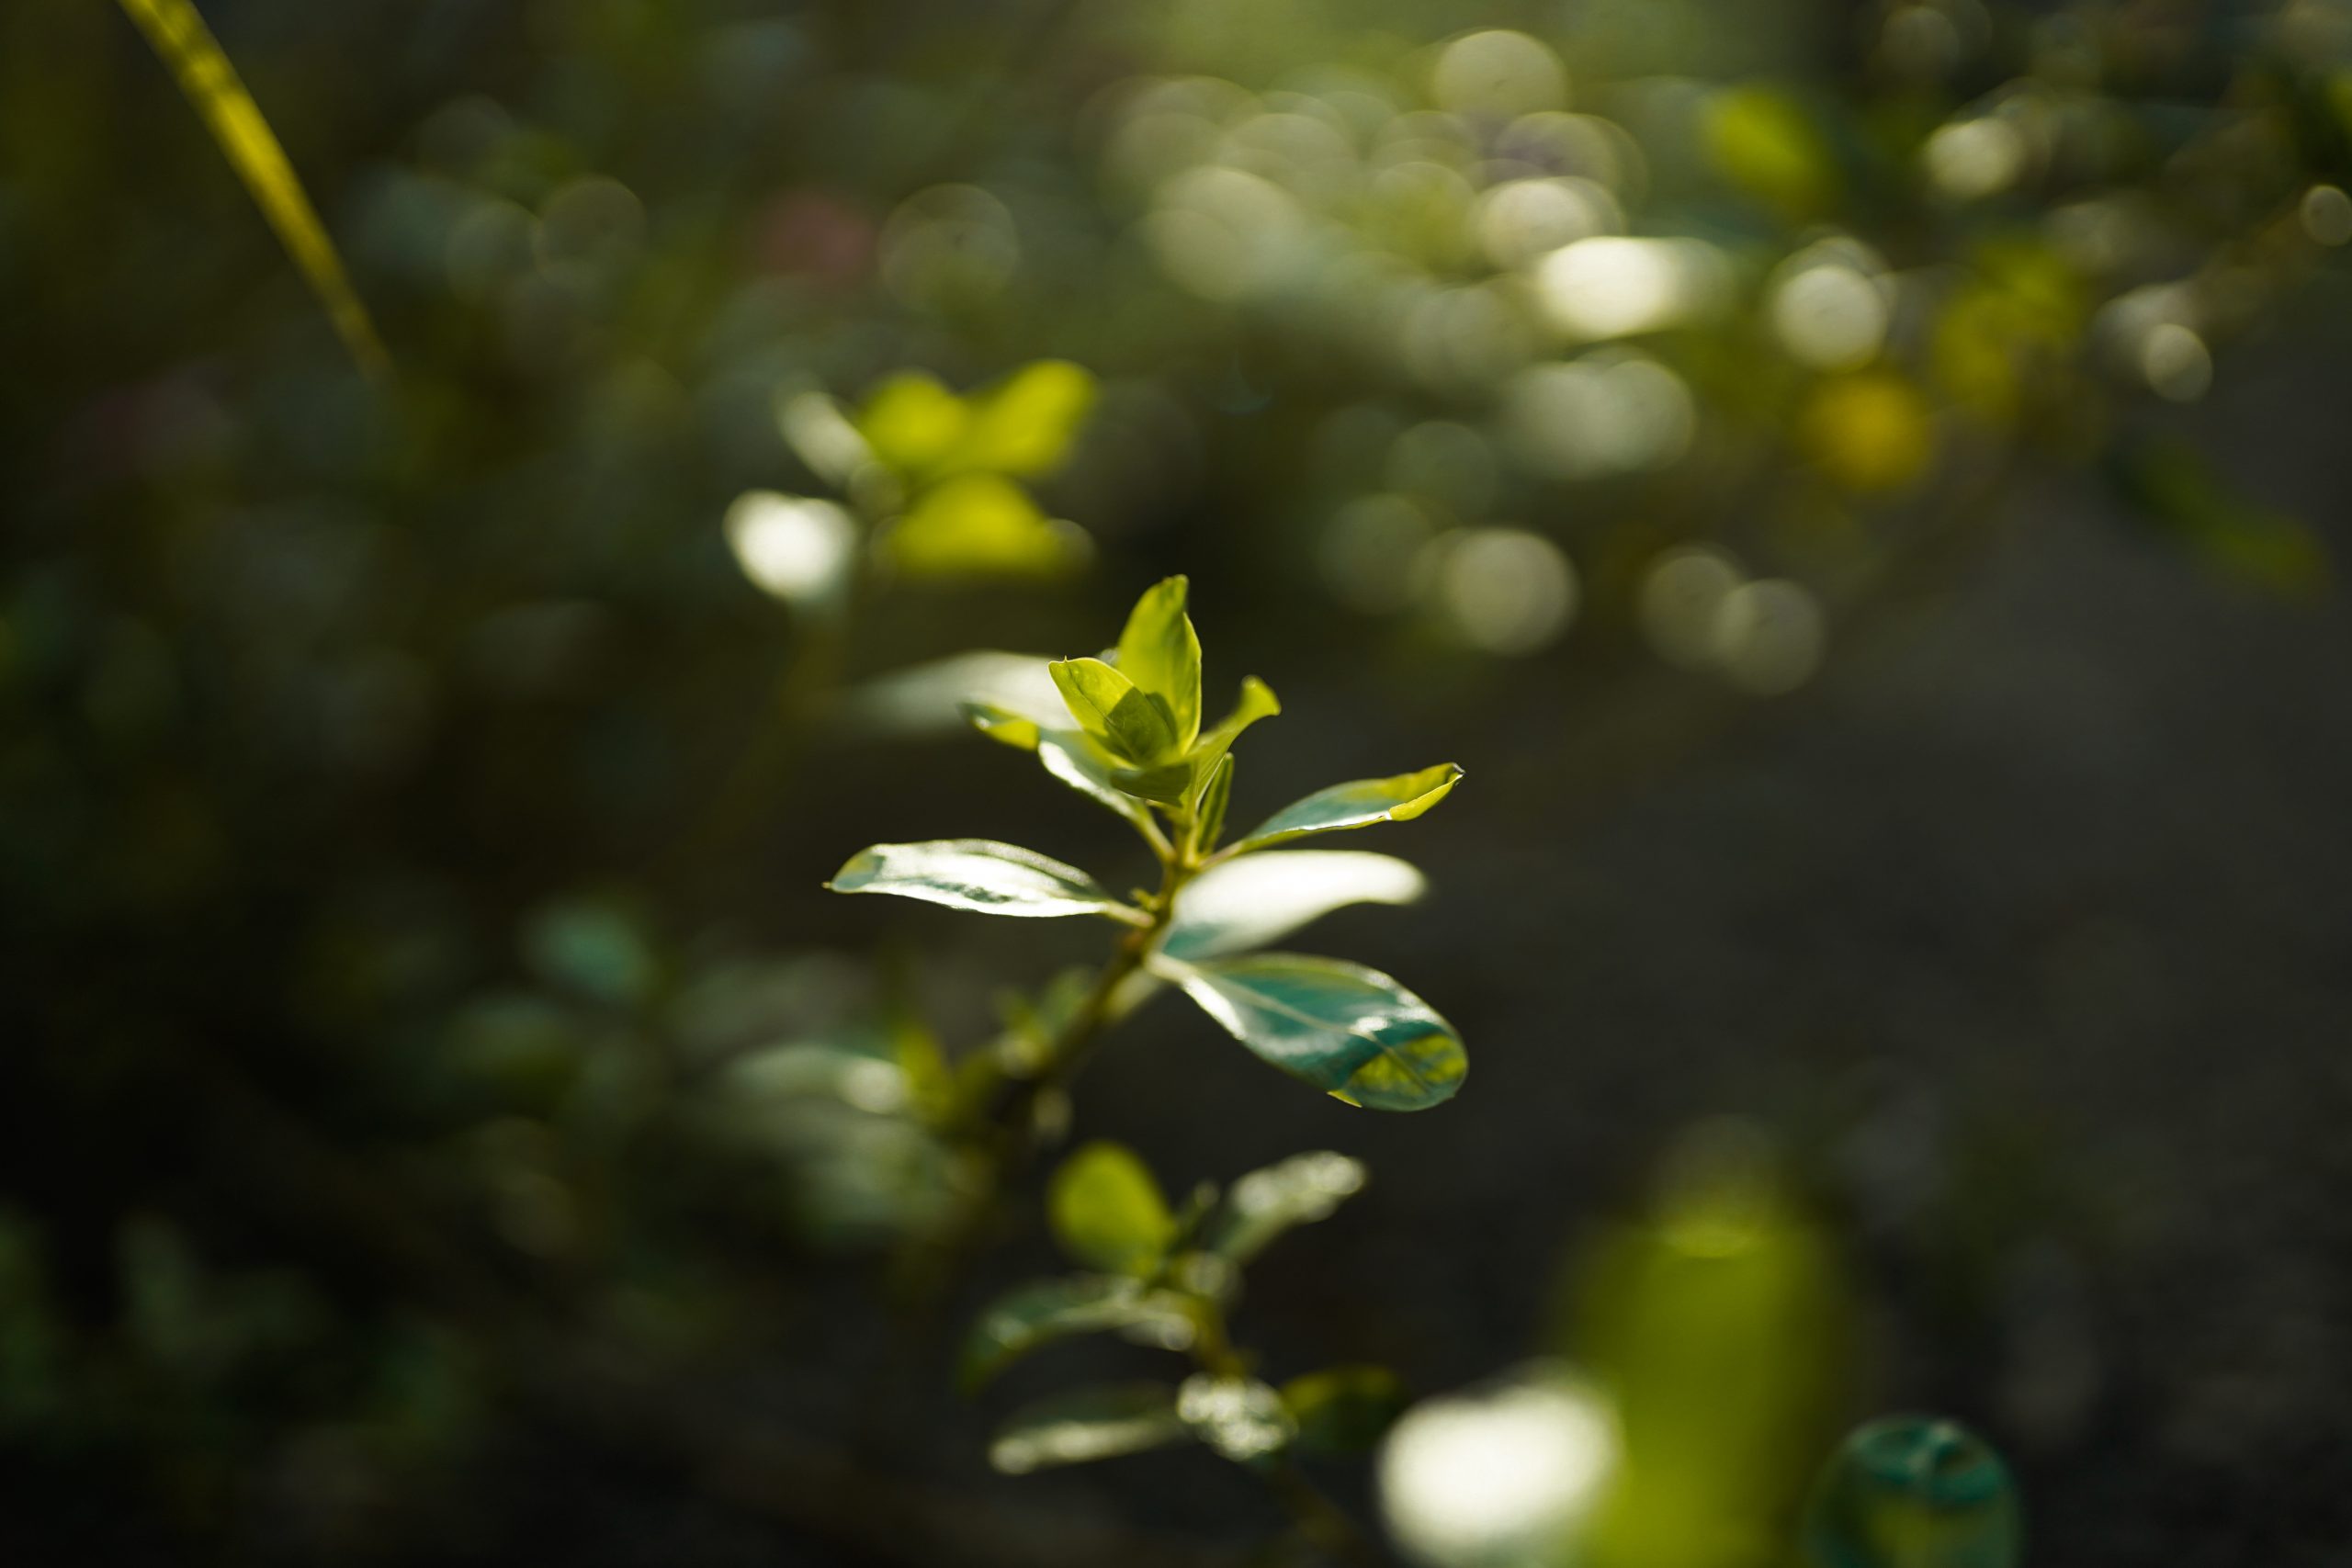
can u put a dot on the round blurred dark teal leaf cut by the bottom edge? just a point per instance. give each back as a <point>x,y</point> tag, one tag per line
<point>1913,1492</point>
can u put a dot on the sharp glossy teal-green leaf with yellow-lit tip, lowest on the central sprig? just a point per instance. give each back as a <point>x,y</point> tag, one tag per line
<point>1344,1028</point>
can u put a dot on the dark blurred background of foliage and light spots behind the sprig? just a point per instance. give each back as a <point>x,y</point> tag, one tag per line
<point>1857,488</point>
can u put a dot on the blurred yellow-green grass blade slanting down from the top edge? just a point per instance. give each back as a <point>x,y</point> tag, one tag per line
<point>194,58</point>
